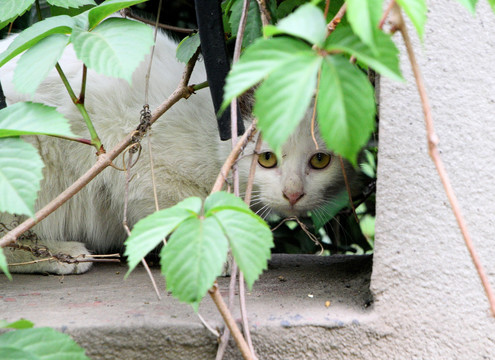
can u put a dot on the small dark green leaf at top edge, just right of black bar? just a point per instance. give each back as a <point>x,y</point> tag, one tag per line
<point>253,23</point>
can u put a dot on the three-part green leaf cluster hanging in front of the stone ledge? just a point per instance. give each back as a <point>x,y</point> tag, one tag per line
<point>200,235</point>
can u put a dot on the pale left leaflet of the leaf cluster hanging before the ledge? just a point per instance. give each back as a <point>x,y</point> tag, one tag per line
<point>151,230</point>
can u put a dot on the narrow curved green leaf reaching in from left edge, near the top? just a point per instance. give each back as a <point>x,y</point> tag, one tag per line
<point>54,25</point>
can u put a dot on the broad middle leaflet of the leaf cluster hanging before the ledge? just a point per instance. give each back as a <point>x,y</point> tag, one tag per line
<point>193,258</point>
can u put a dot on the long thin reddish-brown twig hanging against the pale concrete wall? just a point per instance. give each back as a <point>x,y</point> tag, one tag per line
<point>435,156</point>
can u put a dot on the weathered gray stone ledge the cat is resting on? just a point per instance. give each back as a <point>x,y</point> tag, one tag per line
<point>122,319</point>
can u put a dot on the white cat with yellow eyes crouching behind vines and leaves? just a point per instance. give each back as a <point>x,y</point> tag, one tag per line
<point>187,157</point>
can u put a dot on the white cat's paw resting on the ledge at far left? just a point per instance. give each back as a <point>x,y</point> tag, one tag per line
<point>21,261</point>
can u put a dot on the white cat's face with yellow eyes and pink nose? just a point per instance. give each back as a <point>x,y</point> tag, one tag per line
<point>304,178</point>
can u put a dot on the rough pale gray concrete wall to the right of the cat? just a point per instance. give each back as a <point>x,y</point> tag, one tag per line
<point>427,293</point>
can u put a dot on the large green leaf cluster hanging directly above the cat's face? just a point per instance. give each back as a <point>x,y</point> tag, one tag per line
<point>298,64</point>
